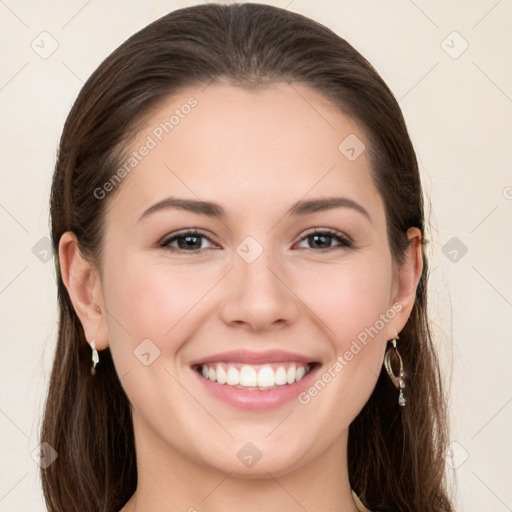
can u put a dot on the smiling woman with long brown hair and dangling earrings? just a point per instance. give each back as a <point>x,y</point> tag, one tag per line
<point>238,227</point>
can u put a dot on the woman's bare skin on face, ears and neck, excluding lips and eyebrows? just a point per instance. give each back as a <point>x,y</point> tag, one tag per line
<point>255,154</point>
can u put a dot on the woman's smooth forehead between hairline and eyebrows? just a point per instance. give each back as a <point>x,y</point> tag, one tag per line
<point>237,147</point>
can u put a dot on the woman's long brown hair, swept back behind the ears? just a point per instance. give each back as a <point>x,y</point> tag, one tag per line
<point>395,454</point>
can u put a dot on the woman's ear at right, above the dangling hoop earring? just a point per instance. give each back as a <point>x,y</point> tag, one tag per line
<point>407,277</point>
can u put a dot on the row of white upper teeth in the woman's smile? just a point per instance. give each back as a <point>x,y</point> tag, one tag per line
<point>250,377</point>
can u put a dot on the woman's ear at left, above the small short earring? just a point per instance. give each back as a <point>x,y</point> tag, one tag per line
<point>82,281</point>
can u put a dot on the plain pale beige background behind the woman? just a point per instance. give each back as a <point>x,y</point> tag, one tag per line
<point>458,107</point>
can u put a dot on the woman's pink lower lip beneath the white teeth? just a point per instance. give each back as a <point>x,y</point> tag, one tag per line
<point>257,399</point>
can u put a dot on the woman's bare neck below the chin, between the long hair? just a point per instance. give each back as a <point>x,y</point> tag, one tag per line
<point>168,480</point>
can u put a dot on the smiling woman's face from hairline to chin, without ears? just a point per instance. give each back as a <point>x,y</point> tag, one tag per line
<point>293,302</point>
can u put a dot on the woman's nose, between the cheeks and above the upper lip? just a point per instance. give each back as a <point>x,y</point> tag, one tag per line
<point>257,294</point>
